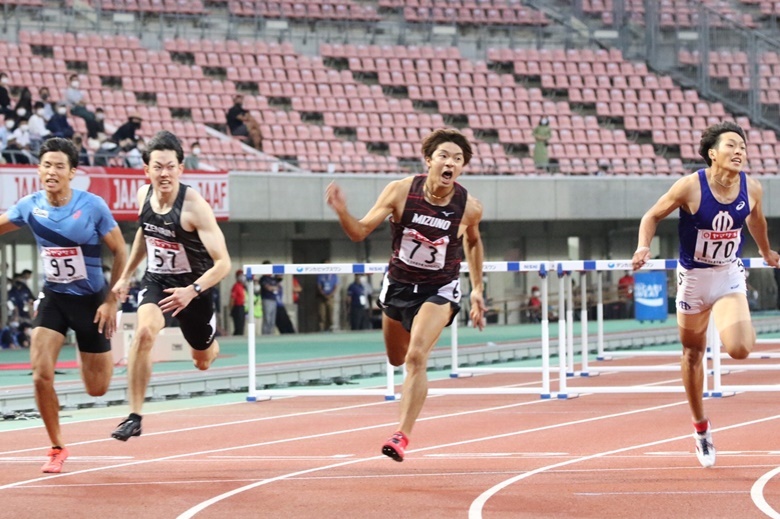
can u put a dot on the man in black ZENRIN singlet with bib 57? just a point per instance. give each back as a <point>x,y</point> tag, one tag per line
<point>185,256</point>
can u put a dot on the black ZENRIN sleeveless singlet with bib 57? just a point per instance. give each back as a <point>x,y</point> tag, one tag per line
<point>174,257</point>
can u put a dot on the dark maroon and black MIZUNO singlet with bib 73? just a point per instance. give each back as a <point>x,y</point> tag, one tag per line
<point>426,246</point>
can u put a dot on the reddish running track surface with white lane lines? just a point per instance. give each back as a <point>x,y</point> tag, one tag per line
<point>597,456</point>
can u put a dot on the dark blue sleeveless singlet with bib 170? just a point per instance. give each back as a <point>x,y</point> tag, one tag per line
<point>713,236</point>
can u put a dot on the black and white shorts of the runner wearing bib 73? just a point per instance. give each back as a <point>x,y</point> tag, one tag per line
<point>401,302</point>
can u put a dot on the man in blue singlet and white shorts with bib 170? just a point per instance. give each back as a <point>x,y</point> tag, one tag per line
<point>714,204</point>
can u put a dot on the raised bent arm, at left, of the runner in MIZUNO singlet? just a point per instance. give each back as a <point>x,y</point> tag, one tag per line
<point>358,230</point>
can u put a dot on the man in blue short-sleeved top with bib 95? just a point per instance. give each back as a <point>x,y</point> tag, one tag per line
<point>69,226</point>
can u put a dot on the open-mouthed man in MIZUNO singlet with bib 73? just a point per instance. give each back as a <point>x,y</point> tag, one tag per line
<point>433,222</point>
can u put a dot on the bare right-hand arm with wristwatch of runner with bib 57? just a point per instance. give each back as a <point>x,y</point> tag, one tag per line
<point>205,223</point>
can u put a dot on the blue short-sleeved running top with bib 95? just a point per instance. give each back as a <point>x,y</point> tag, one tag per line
<point>69,239</point>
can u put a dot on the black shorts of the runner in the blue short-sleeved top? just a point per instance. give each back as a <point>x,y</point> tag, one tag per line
<point>59,312</point>
